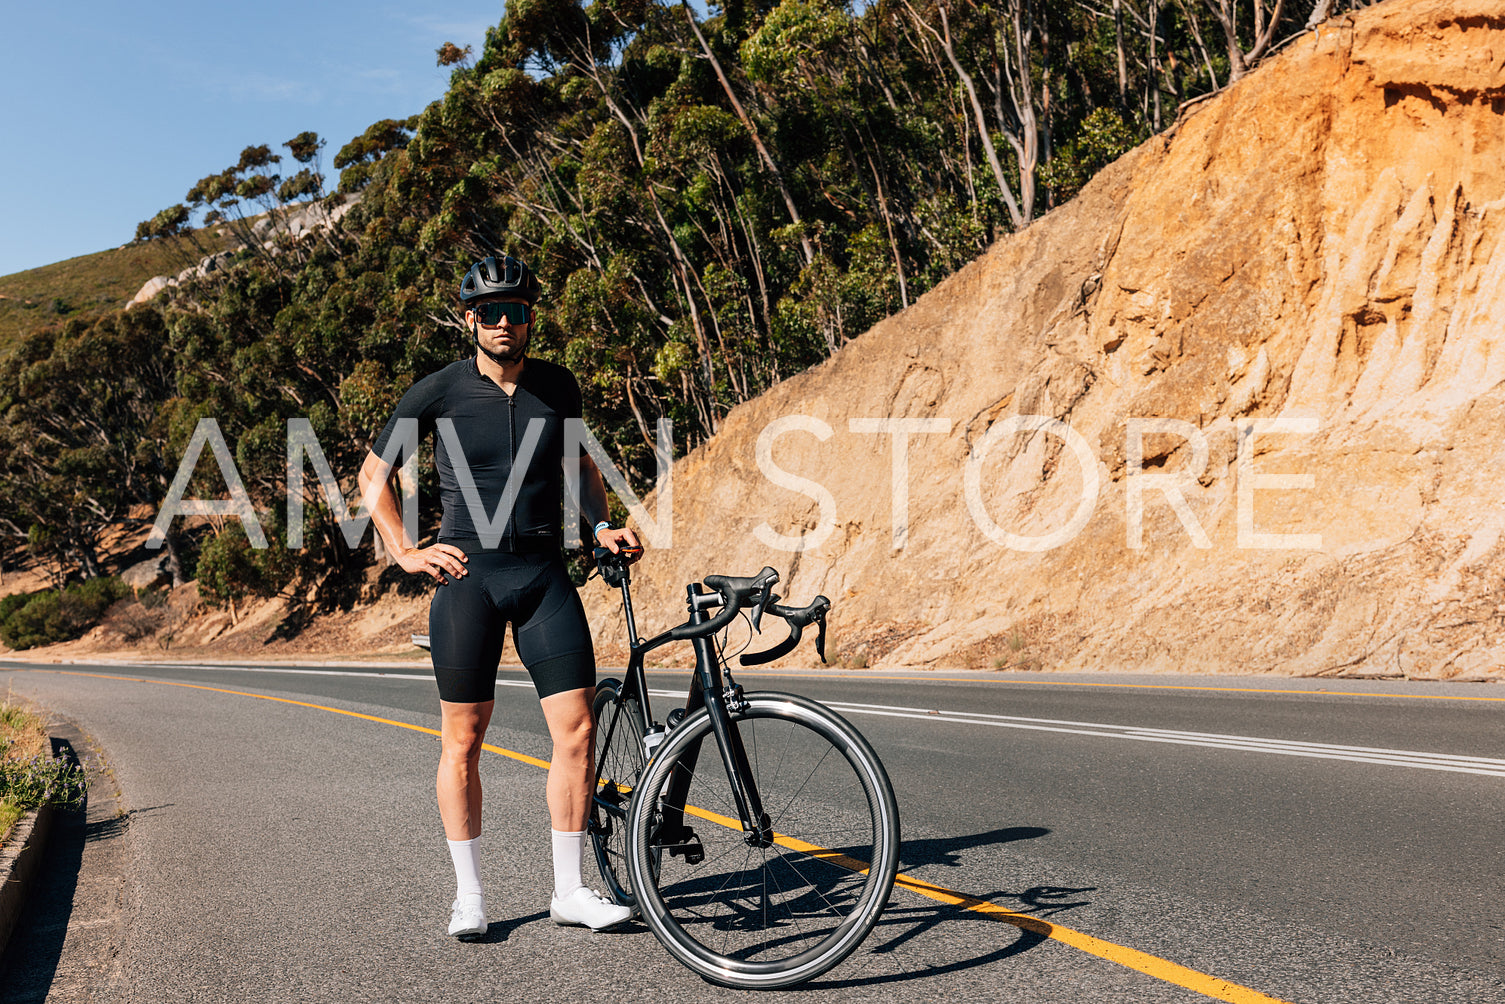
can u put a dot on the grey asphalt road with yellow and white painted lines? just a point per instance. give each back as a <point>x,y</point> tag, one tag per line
<point>1343,847</point>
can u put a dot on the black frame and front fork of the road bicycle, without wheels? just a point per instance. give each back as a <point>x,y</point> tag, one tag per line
<point>710,692</point>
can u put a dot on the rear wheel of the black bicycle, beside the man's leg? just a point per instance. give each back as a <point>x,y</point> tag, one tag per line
<point>619,765</point>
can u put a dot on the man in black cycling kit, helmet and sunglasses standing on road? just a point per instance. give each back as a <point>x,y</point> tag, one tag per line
<point>490,415</point>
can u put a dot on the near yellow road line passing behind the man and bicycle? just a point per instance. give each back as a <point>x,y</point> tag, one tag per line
<point>1131,958</point>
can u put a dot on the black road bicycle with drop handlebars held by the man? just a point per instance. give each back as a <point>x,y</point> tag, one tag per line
<point>767,862</point>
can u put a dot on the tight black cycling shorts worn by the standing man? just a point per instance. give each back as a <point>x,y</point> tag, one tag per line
<point>469,622</point>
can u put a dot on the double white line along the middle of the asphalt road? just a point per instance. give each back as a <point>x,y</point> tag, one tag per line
<point>1456,764</point>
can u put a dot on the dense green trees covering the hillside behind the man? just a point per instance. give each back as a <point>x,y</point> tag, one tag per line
<point>713,204</point>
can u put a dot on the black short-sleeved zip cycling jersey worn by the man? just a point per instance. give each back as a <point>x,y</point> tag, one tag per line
<point>491,431</point>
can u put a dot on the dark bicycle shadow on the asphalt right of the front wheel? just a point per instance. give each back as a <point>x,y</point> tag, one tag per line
<point>901,925</point>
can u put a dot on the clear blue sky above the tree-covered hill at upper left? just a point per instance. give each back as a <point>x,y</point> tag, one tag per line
<point>112,112</point>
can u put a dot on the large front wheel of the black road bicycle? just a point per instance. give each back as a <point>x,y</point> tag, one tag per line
<point>765,917</point>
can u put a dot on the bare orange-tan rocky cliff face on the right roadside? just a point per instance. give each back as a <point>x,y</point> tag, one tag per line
<point>1241,407</point>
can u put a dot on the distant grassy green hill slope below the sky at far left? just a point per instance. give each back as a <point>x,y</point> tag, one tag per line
<point>91,285</point>
